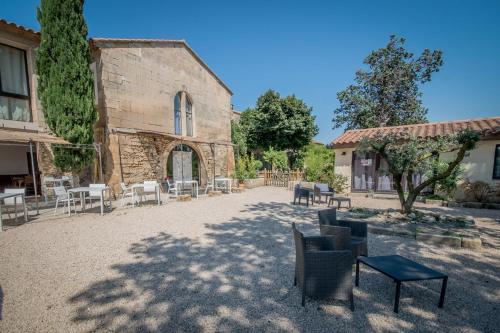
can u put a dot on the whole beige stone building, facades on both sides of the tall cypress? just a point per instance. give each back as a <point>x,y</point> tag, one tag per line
<point>163,113</point>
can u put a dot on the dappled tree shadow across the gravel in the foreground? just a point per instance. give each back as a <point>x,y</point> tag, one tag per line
<point>240,279</point>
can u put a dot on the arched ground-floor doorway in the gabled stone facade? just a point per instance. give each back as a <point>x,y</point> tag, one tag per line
<point>183,163</point>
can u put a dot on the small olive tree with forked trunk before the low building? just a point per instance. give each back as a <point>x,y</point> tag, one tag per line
<point>407,155</point>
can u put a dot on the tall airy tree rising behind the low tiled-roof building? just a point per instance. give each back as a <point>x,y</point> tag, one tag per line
<point>388,93</point>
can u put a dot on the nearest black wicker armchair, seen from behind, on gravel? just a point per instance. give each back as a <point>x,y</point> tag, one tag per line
<point>322,271</point>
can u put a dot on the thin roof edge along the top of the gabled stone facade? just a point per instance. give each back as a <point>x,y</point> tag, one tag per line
<point>101,42</point>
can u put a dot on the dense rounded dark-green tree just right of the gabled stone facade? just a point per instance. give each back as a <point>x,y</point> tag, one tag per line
<point>282,123</point>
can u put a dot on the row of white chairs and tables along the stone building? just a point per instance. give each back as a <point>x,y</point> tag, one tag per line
<point>65,196</point>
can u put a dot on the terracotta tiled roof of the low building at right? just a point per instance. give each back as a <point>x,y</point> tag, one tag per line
<point>485,126</point>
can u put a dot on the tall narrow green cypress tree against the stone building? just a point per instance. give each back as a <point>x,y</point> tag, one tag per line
<point>65,85</point>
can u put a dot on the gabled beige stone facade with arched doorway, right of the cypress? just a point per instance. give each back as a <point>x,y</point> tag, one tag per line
<point>163,113</point>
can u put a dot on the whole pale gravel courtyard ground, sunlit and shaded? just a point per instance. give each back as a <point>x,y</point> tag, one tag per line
<point>219,264</point>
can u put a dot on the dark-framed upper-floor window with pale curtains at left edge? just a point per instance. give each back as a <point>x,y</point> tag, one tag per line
<point>14,88</point>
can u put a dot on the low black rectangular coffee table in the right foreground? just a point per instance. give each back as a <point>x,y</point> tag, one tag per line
<point>401,269</point>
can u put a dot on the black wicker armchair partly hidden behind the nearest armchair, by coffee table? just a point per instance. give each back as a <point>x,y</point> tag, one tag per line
<point>357,237</point>
